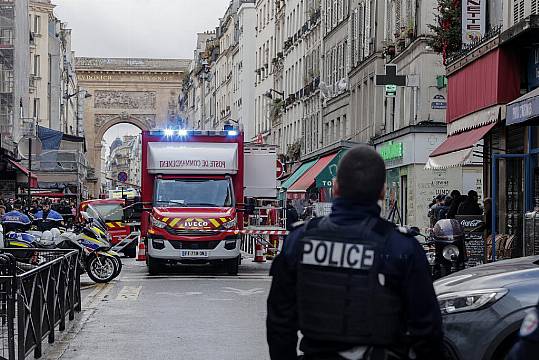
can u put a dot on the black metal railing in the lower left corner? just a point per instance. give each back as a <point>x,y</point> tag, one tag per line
<point>36,299</point>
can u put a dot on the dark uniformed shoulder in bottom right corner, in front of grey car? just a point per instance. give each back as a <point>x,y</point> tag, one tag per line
<point>527,348</point>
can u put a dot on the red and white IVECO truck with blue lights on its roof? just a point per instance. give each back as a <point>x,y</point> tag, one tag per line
<point>192,188</point>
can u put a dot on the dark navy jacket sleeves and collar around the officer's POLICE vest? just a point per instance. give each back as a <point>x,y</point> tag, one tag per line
<point>405,266</point>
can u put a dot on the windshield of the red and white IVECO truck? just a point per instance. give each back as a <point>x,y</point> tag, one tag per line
<point>193,192</point>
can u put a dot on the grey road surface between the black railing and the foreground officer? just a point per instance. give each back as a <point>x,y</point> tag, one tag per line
<point>182,315</point>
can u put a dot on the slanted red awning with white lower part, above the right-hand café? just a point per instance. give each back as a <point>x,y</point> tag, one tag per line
<point>457,149</point>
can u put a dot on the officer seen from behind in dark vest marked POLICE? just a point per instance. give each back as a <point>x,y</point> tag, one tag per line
<point>355,286</point>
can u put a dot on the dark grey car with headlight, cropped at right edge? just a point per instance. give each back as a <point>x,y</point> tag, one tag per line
<point>483,307</point>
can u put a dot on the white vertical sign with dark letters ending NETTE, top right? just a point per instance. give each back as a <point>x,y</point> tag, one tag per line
<point>473,20</point>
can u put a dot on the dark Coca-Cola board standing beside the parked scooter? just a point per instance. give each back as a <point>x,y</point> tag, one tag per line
<point>475,242</point>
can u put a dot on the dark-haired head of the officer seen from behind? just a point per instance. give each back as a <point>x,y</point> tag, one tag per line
<point>361,175</point>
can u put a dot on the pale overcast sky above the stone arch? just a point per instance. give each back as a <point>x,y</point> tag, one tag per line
<point>138,28</point>
